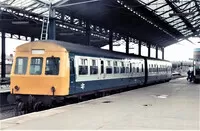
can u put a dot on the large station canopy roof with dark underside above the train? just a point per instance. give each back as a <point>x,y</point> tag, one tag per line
<point>157,22</point>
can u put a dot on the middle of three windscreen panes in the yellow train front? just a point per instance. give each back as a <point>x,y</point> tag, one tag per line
<point>36,66</point>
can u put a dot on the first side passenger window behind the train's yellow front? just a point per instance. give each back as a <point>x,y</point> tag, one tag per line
<point>83,66</point>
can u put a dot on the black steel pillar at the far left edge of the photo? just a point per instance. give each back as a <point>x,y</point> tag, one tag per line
<point>3,55</point>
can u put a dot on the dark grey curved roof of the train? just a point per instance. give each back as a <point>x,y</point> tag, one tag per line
<point>94,51</point>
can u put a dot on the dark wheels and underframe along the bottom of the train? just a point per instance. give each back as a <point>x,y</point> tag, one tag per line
<point>31,103</point>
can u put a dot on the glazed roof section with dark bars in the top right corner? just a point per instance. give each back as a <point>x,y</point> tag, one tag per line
<point>164,12</point>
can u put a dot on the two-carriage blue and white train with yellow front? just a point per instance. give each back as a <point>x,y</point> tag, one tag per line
<point>44,72</point>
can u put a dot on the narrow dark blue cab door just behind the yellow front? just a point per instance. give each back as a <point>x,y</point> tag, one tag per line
<point>72,75</point>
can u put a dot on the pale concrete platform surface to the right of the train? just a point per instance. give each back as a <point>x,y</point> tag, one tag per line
<point>172,105</point>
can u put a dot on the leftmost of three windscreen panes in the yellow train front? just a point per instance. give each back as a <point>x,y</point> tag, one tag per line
<point>21,65</point>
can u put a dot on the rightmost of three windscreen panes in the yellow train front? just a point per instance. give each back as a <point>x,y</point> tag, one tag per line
<point>52,66</point>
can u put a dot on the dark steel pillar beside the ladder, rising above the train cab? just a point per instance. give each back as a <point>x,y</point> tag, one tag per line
<point>52,25</point>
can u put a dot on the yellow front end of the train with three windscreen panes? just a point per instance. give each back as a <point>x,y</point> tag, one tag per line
<point>39,67</point>
